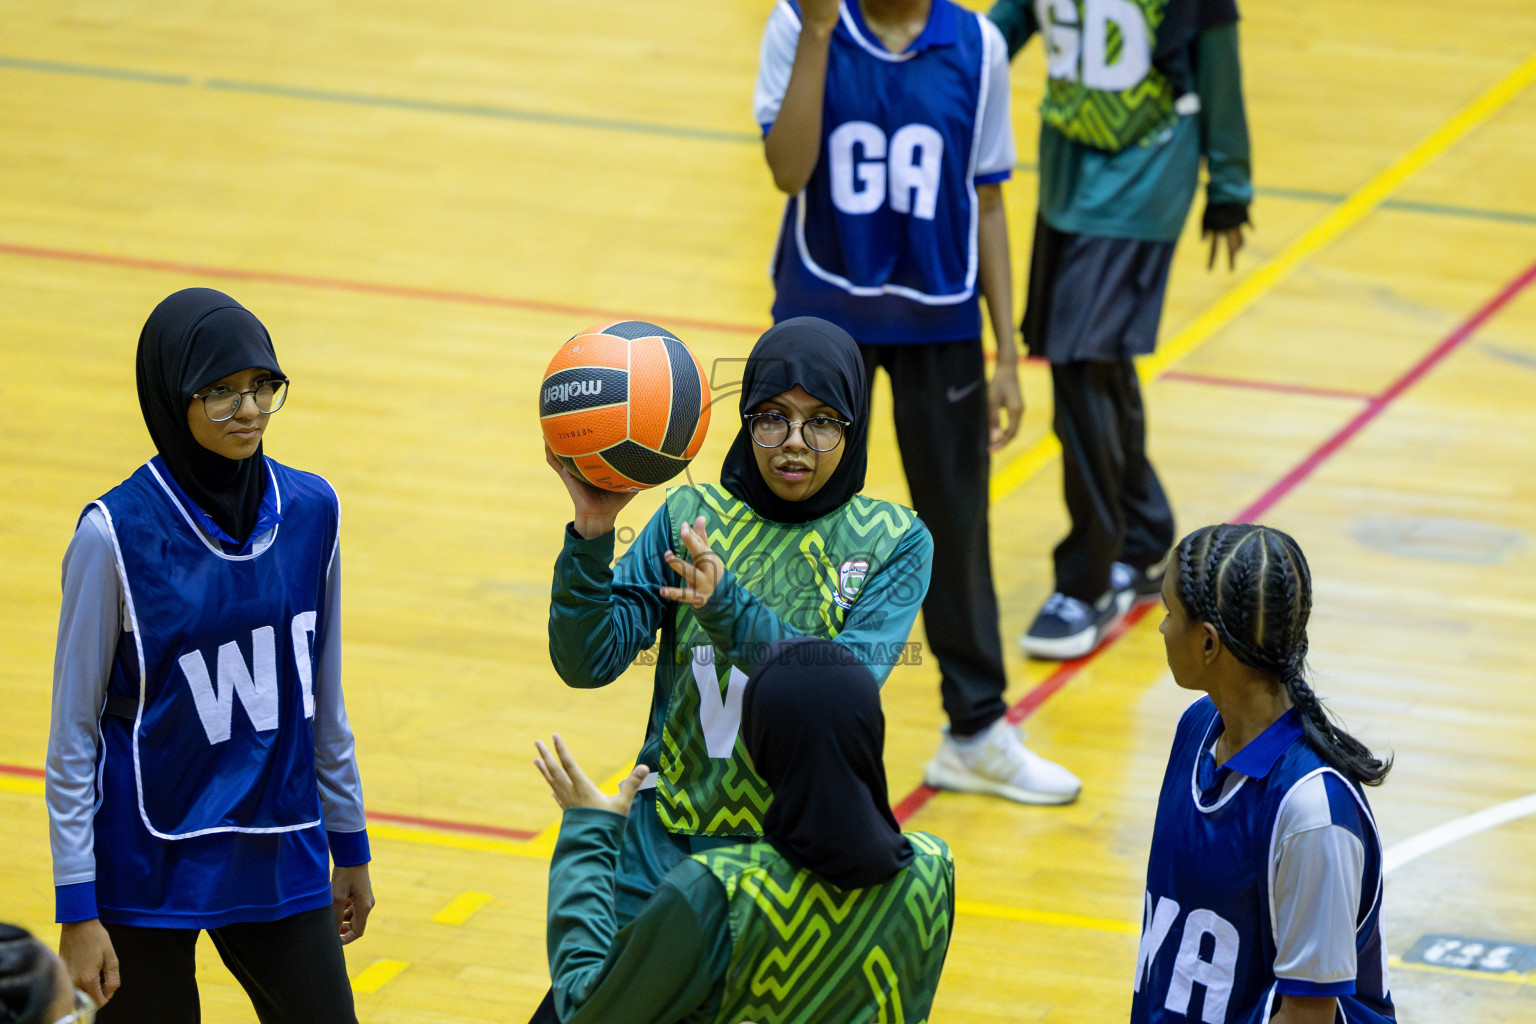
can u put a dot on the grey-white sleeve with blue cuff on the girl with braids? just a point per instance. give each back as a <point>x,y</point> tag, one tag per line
<point>1317,871</point>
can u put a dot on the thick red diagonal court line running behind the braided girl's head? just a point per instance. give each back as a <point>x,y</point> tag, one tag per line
<point>1377,405</point>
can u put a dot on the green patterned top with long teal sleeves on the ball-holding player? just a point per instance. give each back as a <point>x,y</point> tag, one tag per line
<point>780,583</point>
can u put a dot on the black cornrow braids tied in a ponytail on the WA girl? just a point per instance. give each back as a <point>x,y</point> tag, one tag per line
<point>1254,587</point>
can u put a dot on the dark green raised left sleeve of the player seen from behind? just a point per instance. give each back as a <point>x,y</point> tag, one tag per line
<point>664,968</point>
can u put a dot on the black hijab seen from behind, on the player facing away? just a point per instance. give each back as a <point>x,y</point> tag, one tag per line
<point>813,727</point>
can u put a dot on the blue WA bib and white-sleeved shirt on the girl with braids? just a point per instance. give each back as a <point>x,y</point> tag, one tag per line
<point>1265,880</point>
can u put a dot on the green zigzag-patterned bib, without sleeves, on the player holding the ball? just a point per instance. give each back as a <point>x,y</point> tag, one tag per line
<point>809,575</point>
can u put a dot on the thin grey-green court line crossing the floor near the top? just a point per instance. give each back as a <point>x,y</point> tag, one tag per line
<point>607,125</point>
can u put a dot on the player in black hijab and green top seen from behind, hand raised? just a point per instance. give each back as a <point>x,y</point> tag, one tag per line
<point>838,917</point>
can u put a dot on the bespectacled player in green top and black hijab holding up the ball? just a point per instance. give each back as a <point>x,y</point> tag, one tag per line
<point>783,547</point>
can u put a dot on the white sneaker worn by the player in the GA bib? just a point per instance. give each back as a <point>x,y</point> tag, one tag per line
<point>999,764</point>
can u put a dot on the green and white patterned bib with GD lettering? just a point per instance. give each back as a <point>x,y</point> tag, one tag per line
<point>1102,88</point>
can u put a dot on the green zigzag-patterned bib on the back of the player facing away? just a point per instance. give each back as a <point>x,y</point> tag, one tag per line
<point>806,951</point>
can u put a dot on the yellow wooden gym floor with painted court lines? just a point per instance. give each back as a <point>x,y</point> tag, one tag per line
<point>425,200</point>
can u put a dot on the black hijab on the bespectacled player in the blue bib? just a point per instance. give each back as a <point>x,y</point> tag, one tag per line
<point>196,339</point>
